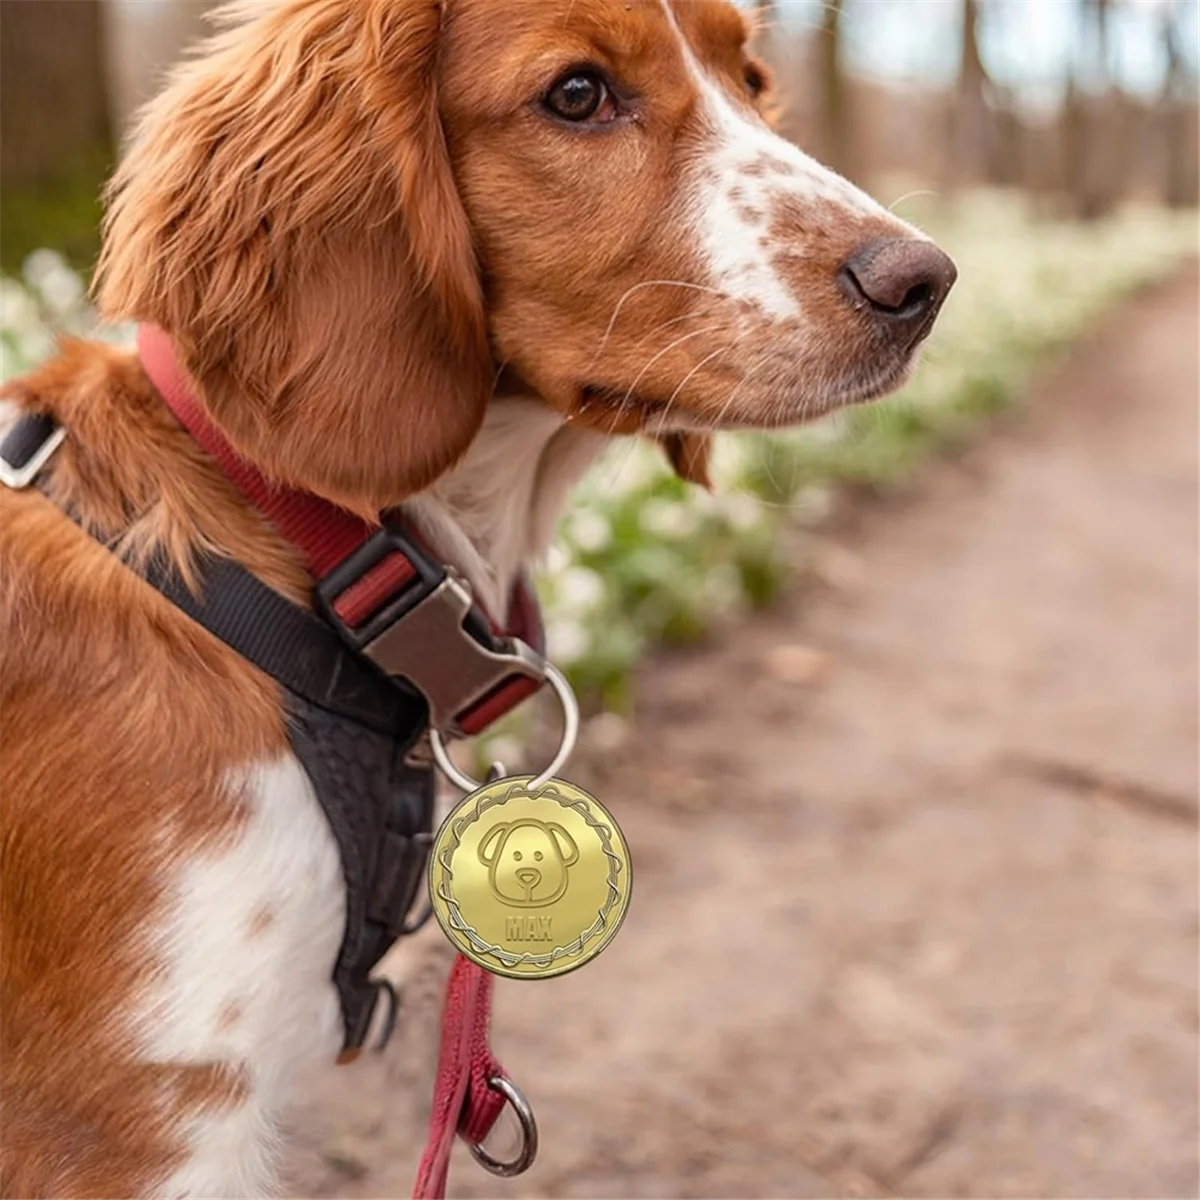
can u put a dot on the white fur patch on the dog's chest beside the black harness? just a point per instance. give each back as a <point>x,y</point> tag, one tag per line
<point>251,937</point>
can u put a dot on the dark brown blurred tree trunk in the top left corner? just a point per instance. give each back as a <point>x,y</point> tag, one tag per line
<point>53,103</point>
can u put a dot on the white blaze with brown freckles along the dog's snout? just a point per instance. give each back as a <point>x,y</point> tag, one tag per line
<point>740,182</point>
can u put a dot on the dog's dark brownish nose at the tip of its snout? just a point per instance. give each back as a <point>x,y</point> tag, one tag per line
<point>902,283</point>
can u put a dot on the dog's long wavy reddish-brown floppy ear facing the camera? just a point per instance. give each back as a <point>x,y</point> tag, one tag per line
<point>287,212</point>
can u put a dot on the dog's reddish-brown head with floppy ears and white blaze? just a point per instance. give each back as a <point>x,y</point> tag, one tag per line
<point>351,214</point>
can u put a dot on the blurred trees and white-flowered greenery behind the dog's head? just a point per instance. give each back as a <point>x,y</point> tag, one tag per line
<point>1052,146</point>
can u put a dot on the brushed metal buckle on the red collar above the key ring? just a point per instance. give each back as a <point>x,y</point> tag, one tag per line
<point>431,649</point>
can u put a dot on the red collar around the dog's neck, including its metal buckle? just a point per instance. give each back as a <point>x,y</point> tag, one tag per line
<point>377,584</point>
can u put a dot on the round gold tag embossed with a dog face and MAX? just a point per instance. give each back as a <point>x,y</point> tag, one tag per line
<point>530,885</point>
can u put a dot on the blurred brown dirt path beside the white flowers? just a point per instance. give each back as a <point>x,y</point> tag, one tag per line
<point>916,915</point>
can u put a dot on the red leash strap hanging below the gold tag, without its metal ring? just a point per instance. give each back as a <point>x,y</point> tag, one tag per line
<point>465,1100</point>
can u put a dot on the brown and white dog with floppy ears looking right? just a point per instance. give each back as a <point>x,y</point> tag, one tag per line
<point>433,254</point>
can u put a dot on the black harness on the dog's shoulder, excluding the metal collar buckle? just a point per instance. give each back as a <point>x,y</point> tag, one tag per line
<point>380,808</point>
